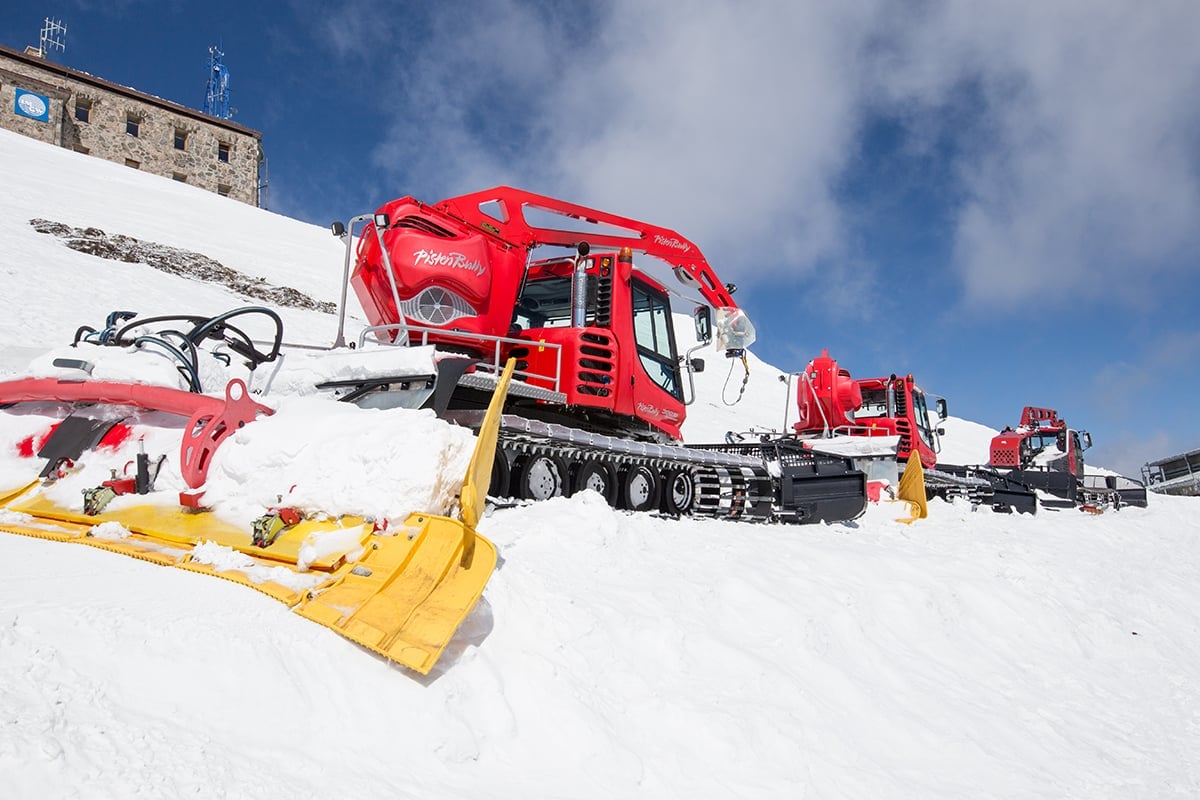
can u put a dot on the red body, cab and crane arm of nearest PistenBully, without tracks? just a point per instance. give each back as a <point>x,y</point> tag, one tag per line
<point>587,327</point>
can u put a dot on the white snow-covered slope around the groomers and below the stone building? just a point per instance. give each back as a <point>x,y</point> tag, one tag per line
<point>614,655</point>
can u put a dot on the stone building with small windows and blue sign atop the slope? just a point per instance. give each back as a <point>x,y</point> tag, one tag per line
<point>74,110</point>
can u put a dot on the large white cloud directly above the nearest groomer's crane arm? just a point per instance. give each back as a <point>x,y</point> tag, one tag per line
<point>728,122</point>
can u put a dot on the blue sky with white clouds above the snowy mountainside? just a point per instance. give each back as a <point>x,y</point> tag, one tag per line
<point>1003,199</point>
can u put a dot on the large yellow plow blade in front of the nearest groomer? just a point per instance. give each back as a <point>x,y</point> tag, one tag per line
<point>401,593</point>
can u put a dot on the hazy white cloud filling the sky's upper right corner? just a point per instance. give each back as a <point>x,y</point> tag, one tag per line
<point>1085,177</point>
